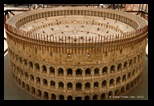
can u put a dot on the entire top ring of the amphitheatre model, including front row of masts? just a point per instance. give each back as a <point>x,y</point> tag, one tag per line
<point>119,39</point>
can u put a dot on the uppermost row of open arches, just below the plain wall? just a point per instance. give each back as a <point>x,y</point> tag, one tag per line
<point>69,72</point>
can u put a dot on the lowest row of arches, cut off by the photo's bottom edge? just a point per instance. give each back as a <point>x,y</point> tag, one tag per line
<point>54,96</point>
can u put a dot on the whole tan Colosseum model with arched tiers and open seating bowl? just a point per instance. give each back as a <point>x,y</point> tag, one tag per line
<point>76,53</point>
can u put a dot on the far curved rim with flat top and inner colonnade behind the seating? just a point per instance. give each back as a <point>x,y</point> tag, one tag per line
<point>112,14</point>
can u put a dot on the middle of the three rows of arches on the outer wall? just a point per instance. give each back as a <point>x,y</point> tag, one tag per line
<point>77,86</point>
